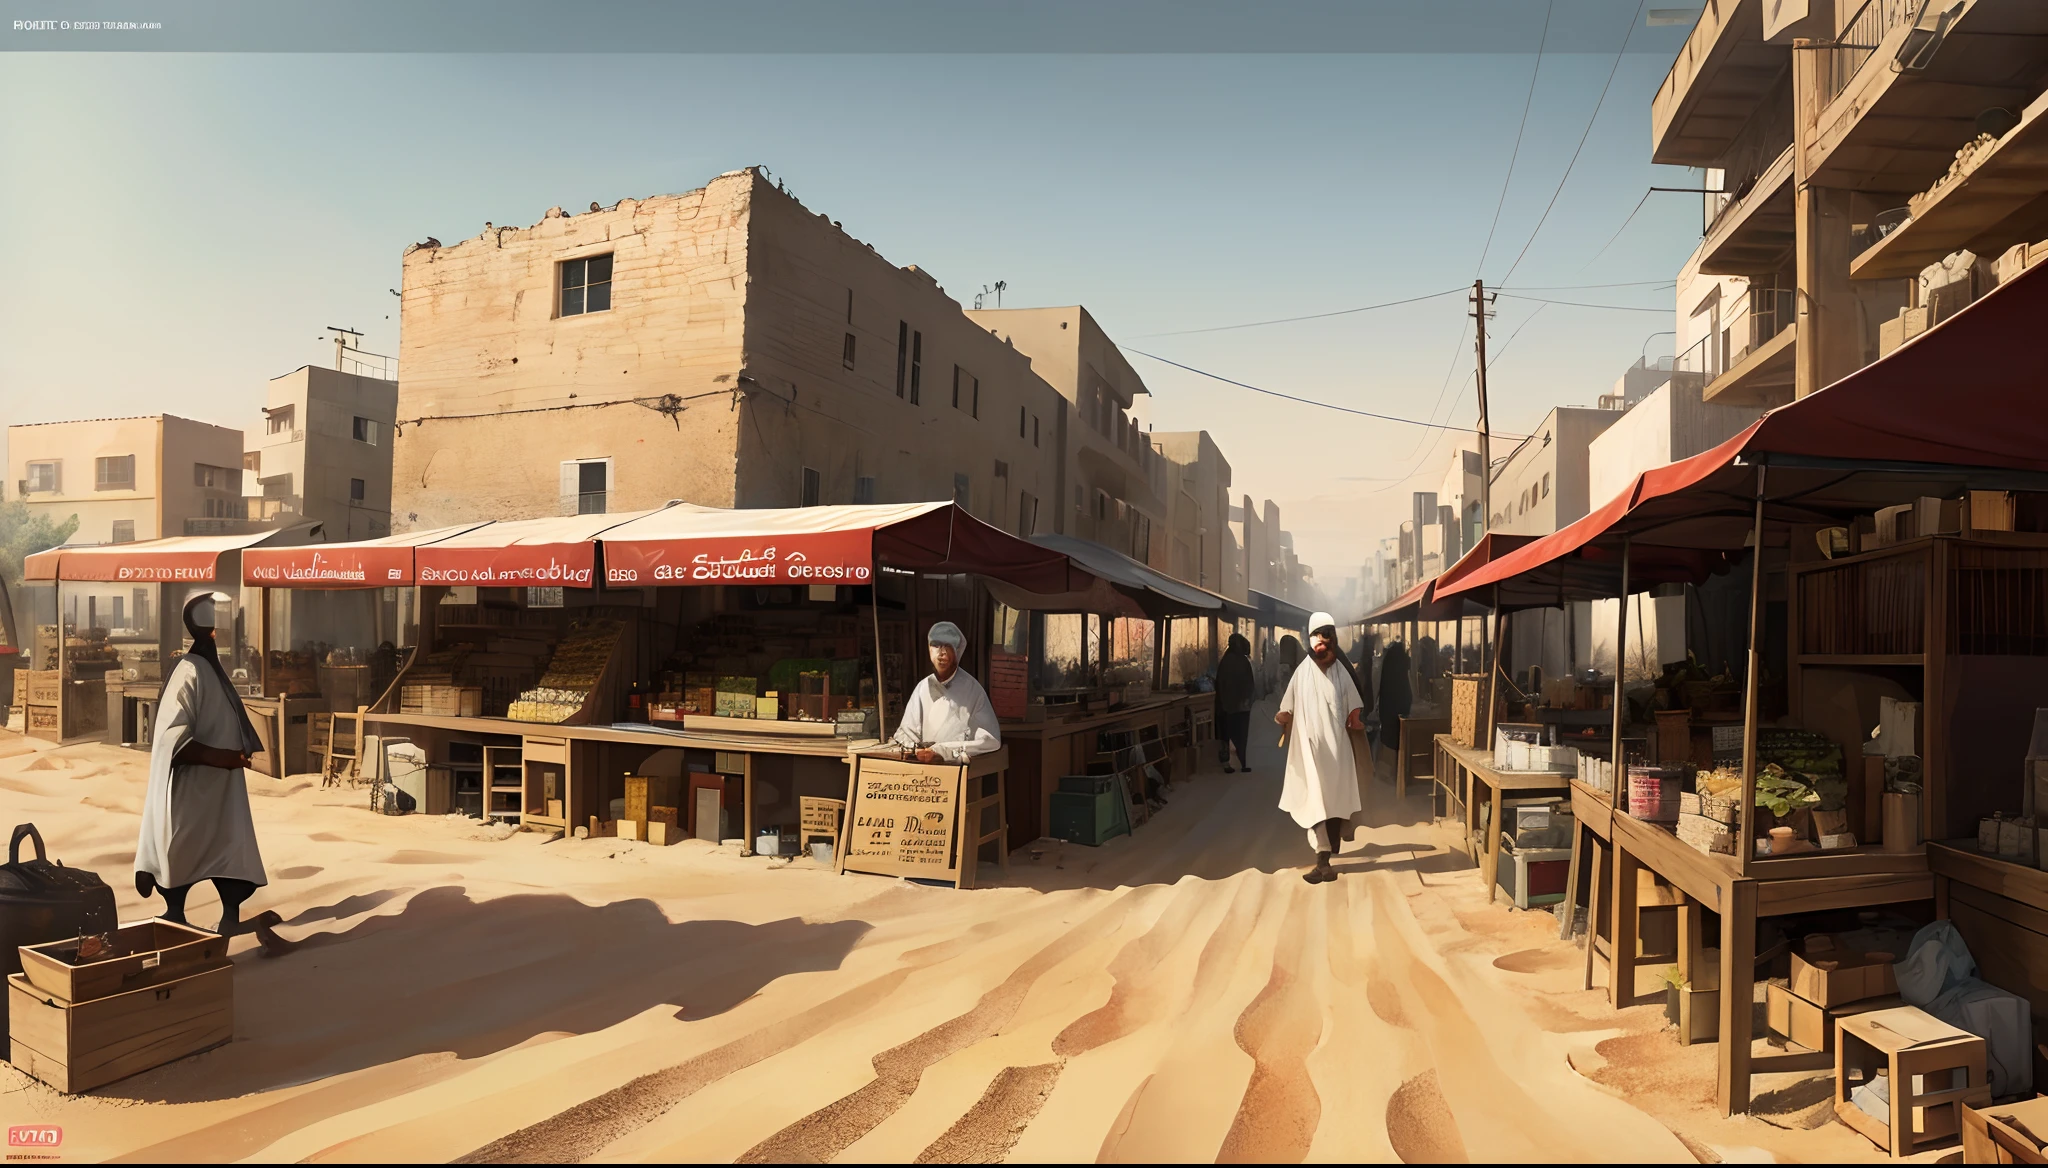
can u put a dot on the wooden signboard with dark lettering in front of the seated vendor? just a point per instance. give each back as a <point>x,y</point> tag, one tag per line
<point>904,821</point>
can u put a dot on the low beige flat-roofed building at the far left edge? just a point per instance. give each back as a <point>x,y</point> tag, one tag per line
<point>130,478</point>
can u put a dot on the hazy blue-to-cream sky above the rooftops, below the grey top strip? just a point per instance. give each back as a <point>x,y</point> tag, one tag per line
<point>181,228</point>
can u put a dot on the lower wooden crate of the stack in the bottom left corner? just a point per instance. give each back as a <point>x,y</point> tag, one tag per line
<point>81,1046</point>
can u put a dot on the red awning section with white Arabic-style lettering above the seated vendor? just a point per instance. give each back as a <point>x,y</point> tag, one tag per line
<point>826,546</point>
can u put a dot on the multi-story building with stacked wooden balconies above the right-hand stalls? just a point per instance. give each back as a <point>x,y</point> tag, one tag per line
<point>1871,173</point>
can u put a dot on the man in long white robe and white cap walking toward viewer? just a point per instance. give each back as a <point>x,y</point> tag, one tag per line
<point>1320,710</point>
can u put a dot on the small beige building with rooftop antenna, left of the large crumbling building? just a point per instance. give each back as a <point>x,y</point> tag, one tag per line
<point>325,454</point>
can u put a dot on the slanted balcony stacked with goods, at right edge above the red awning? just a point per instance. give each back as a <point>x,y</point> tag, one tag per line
<point>1996,204</point>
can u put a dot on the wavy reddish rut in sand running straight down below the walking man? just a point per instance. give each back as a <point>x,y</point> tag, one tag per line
<point>1279,1030</point>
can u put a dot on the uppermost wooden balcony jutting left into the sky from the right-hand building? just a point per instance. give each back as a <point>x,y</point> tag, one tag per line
<point>1715,85</point>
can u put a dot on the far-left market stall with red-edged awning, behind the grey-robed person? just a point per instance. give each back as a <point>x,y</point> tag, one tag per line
<point>103,628</point>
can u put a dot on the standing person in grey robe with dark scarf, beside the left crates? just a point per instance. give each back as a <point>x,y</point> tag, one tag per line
<point>196,817</point>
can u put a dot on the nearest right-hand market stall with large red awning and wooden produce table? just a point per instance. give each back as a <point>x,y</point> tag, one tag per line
<point>1943,491</point>
